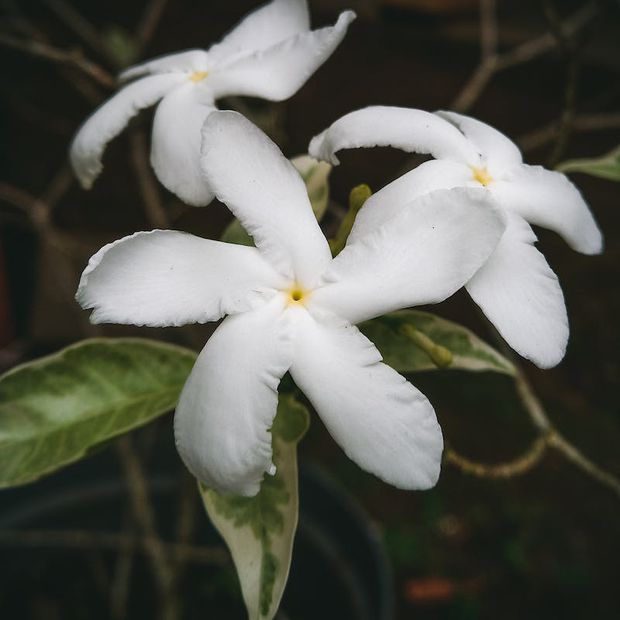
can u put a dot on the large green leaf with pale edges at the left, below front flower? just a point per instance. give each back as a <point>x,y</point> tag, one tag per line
<point>56,410</point>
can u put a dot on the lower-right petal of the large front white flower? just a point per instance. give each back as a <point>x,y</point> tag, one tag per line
<point>380,420</point>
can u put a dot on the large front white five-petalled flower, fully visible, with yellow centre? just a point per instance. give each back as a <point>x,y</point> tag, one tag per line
<point>291,307</point>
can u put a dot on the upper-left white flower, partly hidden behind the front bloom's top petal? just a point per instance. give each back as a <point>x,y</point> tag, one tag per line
<point>270,54</point>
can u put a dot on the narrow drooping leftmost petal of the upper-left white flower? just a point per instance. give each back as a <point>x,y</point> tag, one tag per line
<point>110,119</point>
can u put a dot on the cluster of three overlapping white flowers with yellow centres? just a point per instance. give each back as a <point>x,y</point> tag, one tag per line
<point>458,220</point>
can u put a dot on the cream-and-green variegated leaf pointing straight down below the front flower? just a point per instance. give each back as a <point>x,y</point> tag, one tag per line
<point>259,530</point>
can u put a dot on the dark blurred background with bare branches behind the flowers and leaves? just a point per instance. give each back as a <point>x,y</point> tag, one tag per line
<point>543,544</point>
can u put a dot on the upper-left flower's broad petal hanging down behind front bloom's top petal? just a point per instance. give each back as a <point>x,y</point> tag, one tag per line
<point>175,151</point>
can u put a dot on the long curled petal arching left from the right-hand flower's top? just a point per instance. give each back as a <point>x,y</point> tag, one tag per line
<point>411,130</point>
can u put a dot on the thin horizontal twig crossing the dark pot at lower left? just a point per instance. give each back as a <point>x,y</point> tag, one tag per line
<point>85,540</point>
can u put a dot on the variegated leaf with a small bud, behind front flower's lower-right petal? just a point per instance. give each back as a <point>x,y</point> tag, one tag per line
<point>399,352</point>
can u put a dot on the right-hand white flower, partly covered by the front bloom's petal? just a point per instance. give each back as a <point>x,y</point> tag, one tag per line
<point>516,288</point>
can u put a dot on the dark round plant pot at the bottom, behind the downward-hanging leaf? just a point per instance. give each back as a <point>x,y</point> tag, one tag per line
<point>340,570</point>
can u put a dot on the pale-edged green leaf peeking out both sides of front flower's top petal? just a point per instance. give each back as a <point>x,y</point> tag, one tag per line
<point>316,177</point>
